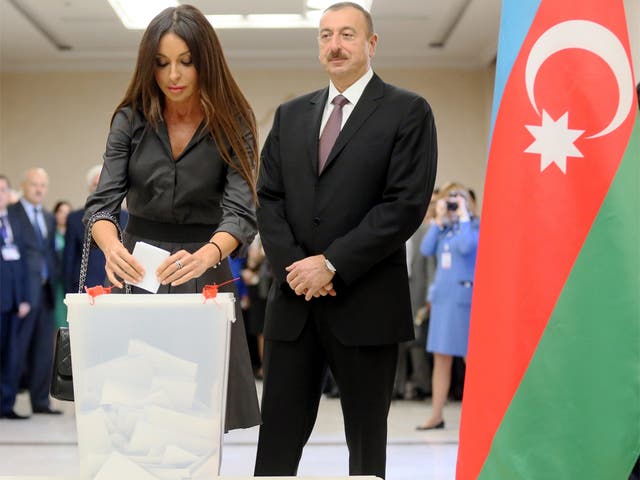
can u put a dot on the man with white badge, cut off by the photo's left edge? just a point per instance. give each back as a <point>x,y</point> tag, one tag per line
<point>14,303</point>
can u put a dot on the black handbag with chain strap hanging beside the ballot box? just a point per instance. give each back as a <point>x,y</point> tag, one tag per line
<point>61,376</point>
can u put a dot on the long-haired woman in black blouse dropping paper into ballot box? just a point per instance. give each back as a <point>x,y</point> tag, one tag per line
<point>182,150</point>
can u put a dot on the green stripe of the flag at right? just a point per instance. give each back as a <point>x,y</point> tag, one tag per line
<point>576,413</point>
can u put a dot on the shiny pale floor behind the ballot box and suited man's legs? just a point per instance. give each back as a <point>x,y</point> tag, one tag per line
<point>46,445</point>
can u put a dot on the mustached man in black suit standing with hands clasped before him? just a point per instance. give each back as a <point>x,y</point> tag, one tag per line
<point>334,218</point>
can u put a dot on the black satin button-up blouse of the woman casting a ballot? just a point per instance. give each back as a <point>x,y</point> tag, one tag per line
<point>198,187</point>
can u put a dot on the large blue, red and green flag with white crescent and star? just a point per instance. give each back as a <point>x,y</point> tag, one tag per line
<point>553,373</point>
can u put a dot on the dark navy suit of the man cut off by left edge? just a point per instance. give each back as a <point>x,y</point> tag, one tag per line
<point>13,291</point>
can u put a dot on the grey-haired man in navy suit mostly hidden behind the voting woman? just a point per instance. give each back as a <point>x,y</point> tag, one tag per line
<point>74,243</point>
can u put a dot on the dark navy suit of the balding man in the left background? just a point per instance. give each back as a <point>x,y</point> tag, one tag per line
<point>35,333</point>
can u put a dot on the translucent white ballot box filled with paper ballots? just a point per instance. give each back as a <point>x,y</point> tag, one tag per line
<point>150,381</point>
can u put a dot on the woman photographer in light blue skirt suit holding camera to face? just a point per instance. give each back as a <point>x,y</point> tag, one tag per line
<point>453,239</point>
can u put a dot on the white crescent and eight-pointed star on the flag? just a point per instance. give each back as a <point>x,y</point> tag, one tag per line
<point>554,140</point>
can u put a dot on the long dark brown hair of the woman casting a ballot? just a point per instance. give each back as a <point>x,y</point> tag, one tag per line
<point>228,116</point>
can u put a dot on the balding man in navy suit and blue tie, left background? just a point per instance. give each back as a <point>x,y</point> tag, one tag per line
<point>35,334</point>
